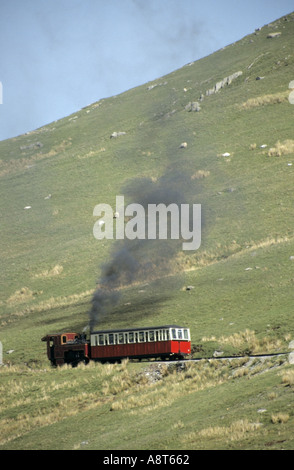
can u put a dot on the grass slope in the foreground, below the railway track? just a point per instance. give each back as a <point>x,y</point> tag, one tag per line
<point>81,408</point>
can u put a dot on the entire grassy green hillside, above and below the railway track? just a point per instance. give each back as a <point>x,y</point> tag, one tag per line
<point>239,161</point>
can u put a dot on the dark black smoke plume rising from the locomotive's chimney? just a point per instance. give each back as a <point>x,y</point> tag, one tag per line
<point>141,260</point>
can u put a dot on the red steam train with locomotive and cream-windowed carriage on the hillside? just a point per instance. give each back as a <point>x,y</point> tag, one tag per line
<point>159,342</point>
